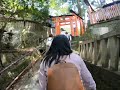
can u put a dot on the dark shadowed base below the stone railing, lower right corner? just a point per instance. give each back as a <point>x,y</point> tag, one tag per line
<point>105,79</point>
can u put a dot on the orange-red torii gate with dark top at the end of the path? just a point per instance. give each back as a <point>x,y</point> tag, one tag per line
<point>69,20</point>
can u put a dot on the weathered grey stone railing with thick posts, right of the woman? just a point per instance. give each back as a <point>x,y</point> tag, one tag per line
<point>104,51</point>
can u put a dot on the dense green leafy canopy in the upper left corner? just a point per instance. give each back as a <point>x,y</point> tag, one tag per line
<point>26,9</point>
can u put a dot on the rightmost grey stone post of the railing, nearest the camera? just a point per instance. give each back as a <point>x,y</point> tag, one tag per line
<point>113,53</point>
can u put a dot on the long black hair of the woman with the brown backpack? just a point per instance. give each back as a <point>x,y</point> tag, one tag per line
<point>60,46</point>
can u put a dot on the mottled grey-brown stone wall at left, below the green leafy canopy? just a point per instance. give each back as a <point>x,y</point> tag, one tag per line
<point>27,33</point>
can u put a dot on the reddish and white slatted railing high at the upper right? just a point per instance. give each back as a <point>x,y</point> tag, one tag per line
<point>105,13</point>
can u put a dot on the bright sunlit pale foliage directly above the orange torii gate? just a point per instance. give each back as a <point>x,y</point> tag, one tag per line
<point>59,7</point>
